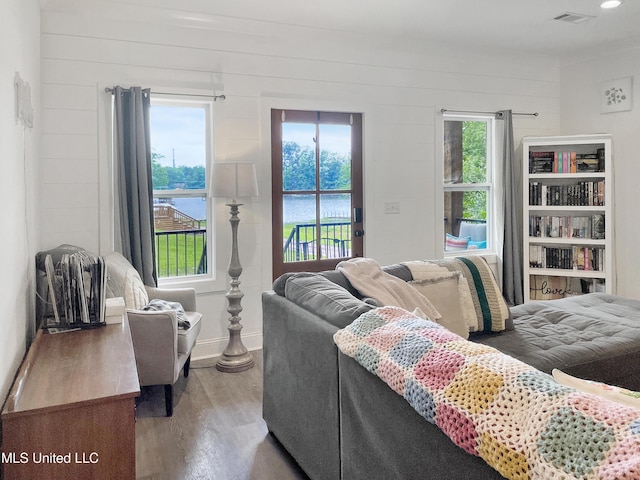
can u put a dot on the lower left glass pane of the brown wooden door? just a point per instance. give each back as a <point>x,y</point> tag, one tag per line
<point>299,227</point>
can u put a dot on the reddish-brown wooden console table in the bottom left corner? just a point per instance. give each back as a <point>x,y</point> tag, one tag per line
<point>71,410</point>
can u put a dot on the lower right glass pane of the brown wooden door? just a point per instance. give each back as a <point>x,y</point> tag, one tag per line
<point>335,225</point>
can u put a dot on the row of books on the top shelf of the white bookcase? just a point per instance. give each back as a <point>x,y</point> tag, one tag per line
<point>566,162</point>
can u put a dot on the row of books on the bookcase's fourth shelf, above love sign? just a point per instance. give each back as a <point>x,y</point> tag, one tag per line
<point>567,258</point>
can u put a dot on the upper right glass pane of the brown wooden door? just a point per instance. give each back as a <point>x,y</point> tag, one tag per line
<point>335,157</point>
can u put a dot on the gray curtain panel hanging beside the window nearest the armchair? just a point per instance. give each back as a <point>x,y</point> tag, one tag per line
<point>134,182</point>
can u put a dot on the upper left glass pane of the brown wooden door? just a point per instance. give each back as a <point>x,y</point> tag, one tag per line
<point>298,156</point>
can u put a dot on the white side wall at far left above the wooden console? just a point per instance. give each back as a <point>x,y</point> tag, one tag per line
<point>20,52</point>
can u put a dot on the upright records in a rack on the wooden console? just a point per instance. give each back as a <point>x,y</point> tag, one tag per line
<point>76,289</point>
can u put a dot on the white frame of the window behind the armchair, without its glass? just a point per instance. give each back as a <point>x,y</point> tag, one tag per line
<point>208,281</point>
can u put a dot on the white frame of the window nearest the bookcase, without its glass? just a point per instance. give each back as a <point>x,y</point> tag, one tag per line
<point>489,186</point>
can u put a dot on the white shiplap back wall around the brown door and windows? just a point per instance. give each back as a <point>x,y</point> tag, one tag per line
<point>399,87</point>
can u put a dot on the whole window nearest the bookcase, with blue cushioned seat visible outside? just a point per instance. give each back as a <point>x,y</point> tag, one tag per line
<point>468,183</point>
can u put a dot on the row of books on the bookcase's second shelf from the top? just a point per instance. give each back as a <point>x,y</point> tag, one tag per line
<point>585,193</point>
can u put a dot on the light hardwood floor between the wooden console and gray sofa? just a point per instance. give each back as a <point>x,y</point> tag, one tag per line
<point>216,432</point>
